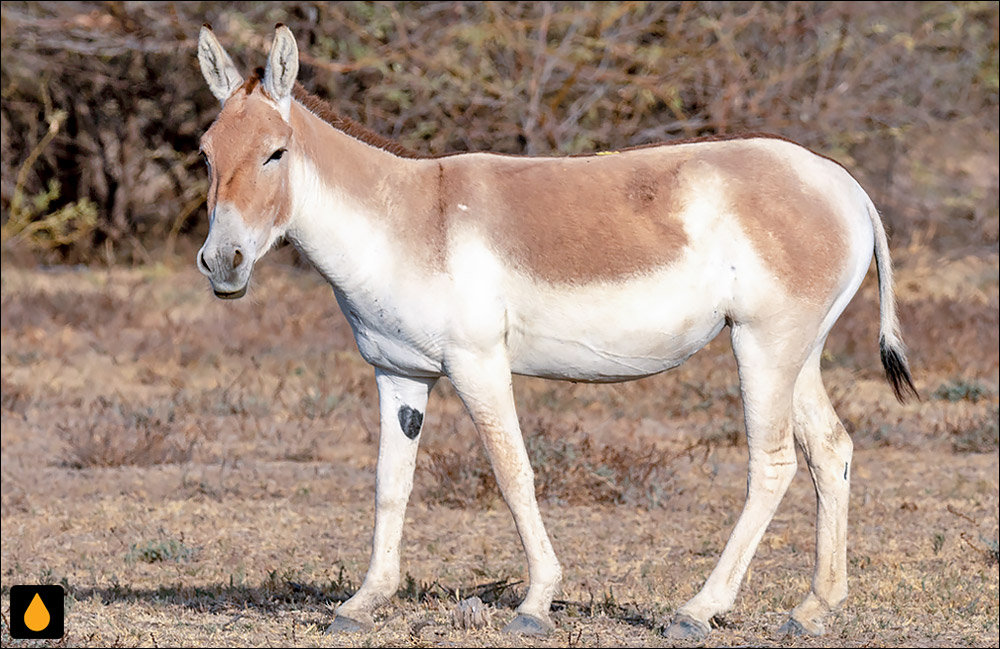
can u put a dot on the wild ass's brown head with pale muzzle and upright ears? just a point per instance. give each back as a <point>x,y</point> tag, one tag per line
<point>249,199</point>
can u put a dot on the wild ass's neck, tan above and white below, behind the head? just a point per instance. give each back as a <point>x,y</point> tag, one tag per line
<point>351,202</point>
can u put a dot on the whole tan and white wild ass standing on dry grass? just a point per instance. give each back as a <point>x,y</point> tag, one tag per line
<point>591,268</point>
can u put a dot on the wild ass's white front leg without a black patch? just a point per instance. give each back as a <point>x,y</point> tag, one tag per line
<point>484,384</point>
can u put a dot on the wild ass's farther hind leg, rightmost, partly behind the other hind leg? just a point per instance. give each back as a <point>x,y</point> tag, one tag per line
<point>827,449</point>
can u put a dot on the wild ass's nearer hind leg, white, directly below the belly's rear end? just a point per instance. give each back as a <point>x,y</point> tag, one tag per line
<point>768,366</point>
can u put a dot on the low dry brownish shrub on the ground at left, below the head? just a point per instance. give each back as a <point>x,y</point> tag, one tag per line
<point>111,434</point>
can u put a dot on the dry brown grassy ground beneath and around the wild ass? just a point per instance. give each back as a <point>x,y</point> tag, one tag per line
<point>201,473</point>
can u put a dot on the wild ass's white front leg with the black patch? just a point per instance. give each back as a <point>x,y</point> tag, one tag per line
<point>402,403</point>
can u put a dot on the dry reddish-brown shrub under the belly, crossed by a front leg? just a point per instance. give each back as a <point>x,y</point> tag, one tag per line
<point>570,468</point>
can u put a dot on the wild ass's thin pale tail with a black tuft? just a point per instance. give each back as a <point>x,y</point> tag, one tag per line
<point>890,340</point>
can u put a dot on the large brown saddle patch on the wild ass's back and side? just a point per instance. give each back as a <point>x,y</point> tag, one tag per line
<point>575,220</point>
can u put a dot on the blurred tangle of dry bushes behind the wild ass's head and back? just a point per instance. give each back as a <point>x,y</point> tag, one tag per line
<point>103,102</point>
